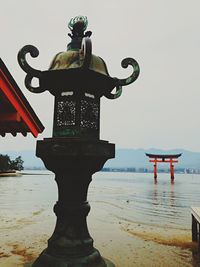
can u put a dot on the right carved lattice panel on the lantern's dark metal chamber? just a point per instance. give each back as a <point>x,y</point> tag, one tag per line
<point>89,114</point>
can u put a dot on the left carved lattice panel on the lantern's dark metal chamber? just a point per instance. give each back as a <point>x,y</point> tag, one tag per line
<point>65,113</point>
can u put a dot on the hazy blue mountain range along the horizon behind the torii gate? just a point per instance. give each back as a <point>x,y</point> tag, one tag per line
<point>125,158</point>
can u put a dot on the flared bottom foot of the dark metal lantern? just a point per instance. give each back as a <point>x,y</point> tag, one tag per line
<point>94,260</point>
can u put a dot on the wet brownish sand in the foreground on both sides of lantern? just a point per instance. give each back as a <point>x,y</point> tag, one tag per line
<point>125,243</point>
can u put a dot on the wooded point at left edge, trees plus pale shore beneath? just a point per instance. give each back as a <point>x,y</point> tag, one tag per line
<point>10,167</point>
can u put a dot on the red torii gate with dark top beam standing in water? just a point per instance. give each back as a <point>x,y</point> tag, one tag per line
<point>169,158</point>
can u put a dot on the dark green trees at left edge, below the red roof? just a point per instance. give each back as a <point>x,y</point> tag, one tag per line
<point>6,164</point>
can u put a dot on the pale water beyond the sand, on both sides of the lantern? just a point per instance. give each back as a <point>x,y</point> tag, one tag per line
<point>133,197</point>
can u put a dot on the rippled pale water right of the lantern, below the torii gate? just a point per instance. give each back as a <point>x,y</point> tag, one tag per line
<point>162,203</point>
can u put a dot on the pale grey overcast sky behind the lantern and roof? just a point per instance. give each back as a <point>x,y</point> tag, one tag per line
<point>161,109</point>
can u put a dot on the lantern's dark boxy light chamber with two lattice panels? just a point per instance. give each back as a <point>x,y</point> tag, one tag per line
<point>76,115</point>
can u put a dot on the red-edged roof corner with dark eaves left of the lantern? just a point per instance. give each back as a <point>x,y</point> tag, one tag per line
<point>16,114</point>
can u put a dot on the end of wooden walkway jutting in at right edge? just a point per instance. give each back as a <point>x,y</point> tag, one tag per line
<point>195,211</point>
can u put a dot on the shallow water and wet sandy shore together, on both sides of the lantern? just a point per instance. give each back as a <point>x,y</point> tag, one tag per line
<point>130,216</point>
